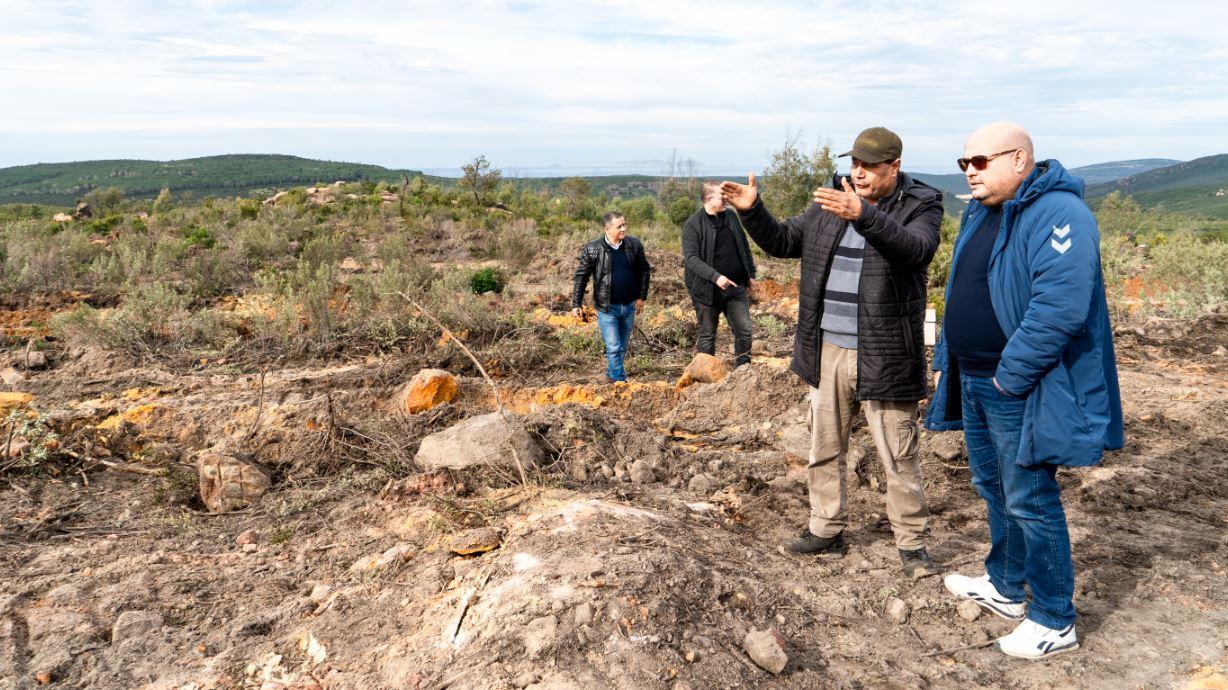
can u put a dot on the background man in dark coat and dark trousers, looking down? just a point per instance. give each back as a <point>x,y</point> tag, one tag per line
<point>720,273</point>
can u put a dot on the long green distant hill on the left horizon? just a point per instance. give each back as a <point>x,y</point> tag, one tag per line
<point>233,176</point>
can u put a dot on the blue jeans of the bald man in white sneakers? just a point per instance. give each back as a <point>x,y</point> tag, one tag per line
<point>1031,545</point>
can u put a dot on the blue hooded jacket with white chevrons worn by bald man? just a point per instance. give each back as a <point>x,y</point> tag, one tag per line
<point>1048,293</point>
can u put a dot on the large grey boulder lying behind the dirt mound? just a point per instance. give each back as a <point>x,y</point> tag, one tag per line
<point>484,439</point>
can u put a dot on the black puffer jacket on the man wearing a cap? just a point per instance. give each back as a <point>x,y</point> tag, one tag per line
<point>902,235</point>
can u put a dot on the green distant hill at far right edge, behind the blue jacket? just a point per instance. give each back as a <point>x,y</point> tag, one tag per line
<point>1194,187</point>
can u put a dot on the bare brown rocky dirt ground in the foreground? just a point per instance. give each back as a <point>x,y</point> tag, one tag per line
<point>639,556</point>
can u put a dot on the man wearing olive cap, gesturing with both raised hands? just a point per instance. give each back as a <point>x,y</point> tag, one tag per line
<point>865,252</point>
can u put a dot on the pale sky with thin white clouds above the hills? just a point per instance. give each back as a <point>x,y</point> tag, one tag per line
<point>596,87</point>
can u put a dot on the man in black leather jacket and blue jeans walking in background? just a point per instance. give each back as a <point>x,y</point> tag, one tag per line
<point>621,272</point>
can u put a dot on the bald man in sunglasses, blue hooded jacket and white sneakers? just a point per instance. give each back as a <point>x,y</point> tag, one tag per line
<point>1026,368</point>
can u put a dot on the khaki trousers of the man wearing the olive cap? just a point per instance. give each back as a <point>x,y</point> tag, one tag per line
<point>897,438</point>
